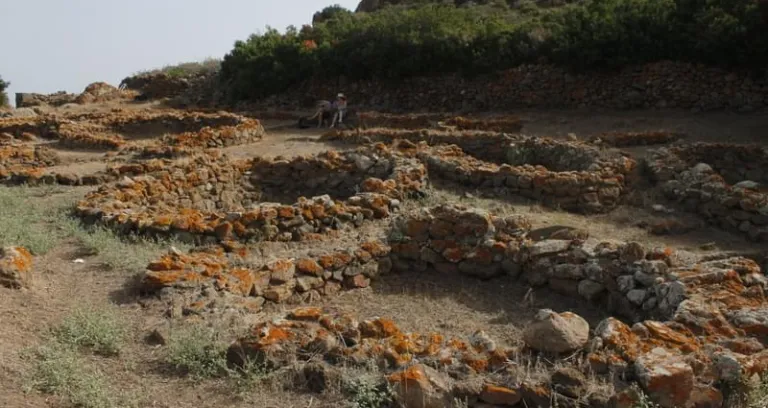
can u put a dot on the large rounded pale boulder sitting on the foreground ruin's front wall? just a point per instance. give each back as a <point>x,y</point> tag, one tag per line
<point>556,332</point>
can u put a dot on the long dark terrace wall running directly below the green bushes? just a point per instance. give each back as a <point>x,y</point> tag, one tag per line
<point>658,85</point>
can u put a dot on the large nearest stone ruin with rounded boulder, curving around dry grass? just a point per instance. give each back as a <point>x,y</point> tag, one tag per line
<point>688,329</point>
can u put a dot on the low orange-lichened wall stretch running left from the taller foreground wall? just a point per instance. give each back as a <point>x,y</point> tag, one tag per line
<point>284,280</point>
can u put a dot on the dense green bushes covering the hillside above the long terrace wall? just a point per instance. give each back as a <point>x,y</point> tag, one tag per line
<point>423,39</point>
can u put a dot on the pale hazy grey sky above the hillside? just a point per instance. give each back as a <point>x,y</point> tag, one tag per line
<point>52,45</point>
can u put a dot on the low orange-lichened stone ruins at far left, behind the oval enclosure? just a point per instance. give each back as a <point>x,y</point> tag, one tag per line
<point>27,142</point>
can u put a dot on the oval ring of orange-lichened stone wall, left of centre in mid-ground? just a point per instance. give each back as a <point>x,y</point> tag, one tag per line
<point>210,199</point>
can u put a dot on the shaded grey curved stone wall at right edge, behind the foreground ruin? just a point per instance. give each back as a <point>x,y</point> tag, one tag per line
<point>686,177</point>
